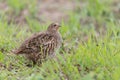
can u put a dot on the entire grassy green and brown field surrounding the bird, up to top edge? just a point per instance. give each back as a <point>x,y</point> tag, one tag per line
<point>91,39</point>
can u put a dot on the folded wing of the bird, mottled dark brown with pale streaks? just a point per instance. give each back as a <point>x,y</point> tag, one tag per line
<point>37,42</point>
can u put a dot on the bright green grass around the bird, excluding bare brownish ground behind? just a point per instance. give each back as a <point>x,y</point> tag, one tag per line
<point>90,51</point>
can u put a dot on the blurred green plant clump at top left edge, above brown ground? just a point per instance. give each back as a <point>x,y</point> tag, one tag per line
<point>18,5</point>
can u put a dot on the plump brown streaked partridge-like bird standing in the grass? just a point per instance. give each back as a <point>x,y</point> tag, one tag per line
<point>42,44</point>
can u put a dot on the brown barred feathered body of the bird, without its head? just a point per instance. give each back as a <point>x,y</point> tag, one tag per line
<point>39,46</point>
